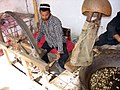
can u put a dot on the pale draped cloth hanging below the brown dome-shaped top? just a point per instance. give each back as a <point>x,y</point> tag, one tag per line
<point>82,53</point>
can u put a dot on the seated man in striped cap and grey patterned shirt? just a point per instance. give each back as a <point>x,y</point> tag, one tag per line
<point>51,28</point>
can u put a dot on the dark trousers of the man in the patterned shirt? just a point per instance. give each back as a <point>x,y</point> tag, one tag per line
<point>63,57</point>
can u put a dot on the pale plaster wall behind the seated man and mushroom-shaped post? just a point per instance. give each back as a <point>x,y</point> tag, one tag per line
<point>68,11</point>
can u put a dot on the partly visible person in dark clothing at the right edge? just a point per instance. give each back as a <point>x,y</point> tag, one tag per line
<point>112,35</point>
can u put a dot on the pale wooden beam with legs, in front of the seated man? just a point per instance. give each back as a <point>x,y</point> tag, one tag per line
<point>27,58</point>
